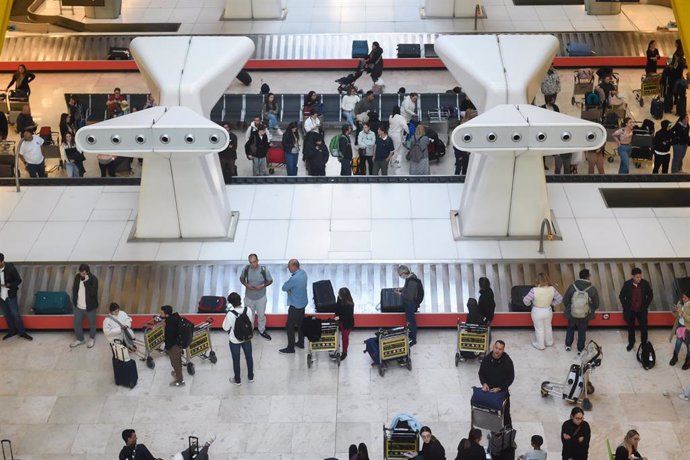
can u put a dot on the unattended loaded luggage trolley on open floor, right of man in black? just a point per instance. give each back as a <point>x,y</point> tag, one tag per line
<point>577,386</point>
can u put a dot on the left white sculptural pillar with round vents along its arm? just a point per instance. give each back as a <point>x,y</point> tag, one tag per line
<point>182,193</point>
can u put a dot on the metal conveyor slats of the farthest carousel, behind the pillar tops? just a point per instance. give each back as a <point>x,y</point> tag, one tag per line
<point>318,46</point>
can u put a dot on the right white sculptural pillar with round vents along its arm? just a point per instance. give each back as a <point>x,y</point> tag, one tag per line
<point>505,194</point>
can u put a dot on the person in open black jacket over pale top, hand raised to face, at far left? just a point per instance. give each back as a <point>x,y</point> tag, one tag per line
<point>85,300</point>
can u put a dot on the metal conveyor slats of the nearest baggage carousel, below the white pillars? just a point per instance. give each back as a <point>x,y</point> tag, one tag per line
<point>142,287</point>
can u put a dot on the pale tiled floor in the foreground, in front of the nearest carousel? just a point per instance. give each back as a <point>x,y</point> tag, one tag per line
<point>61,404</point>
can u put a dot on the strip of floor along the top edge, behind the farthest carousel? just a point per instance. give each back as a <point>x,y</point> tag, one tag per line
<point>356,16</point>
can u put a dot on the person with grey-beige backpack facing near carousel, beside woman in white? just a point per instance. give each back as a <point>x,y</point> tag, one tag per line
<point>581,301</point>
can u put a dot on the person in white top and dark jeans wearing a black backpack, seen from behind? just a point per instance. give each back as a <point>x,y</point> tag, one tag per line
<point>239,324</point>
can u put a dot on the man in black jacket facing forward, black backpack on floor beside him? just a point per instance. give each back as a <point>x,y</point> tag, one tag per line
<point>635,296</point>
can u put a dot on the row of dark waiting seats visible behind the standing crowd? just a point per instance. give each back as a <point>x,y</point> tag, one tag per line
<point>242,108</point>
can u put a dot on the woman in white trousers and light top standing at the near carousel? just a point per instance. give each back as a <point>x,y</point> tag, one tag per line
<point>542,297</point>
